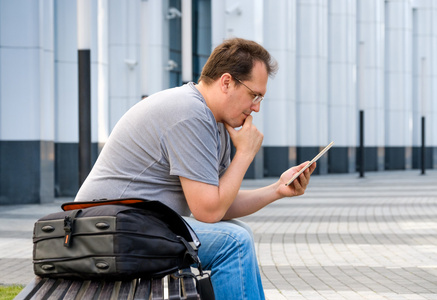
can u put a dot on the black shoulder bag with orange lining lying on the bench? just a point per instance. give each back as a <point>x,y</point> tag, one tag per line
<point>114,239</point>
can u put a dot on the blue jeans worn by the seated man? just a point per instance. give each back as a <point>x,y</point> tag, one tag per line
<point>228,251</point>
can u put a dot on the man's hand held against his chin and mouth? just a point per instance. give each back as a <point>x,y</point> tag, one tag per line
<point>248,139</point>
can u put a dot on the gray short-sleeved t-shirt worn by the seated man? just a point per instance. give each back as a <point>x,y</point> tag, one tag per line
<point>169,134</point>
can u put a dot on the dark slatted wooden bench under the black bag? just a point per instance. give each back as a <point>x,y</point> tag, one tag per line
<point>176,288</point>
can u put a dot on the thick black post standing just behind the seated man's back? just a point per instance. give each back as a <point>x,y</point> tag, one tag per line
<point>84,58</point>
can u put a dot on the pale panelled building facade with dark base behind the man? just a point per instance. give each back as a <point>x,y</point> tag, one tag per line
<point>336,58</point>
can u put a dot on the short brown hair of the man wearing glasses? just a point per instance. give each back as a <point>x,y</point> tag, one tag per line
<point>236,56</point>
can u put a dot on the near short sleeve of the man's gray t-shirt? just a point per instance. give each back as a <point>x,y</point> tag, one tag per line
<point>191,148</point>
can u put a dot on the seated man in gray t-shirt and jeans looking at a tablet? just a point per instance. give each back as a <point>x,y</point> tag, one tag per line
<point>174,147</point>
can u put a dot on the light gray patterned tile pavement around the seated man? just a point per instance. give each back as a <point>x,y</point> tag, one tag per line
<point>346,238</point>
